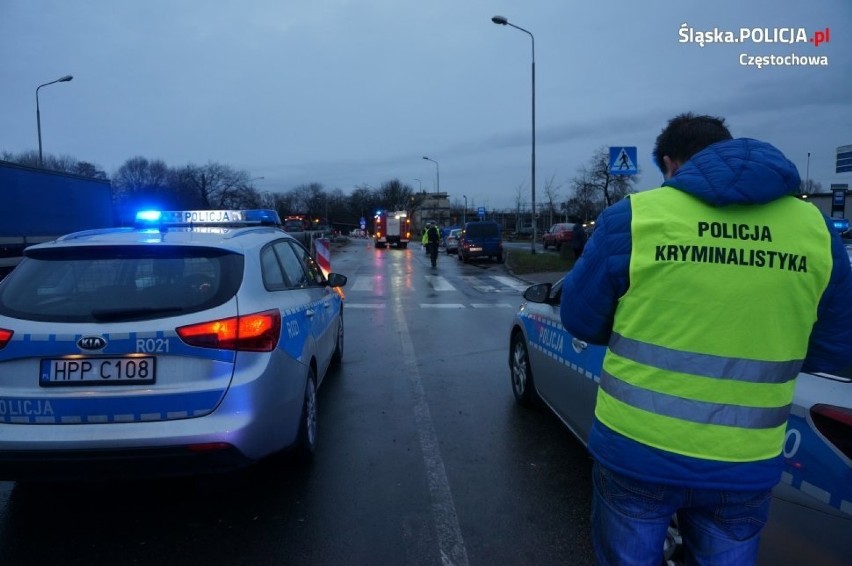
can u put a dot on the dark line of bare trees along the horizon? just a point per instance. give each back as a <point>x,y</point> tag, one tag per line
<point>146,183</point>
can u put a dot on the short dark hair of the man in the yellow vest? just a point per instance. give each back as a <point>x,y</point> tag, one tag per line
<point>687,134</point>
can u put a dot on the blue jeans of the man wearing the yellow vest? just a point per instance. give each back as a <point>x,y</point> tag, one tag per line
<point>630,519</point>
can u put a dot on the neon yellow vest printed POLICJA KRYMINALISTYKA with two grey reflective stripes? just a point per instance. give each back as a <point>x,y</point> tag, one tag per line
<point>715,324</point>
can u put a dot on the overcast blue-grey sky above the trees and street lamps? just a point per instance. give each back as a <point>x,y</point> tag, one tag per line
<point>355,92</point>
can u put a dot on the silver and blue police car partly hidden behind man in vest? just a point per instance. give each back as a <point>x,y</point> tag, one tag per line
<point>811,513</point>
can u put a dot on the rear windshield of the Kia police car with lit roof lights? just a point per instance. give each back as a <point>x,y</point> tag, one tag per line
<point>119,283</point>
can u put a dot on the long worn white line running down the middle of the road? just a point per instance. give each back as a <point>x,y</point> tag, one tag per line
<point>450,541</point>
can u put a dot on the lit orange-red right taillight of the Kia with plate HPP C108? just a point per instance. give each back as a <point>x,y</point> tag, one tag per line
<point>257,332</point>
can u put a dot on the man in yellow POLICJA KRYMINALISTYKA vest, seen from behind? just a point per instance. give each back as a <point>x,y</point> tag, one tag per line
<point>712,292</point>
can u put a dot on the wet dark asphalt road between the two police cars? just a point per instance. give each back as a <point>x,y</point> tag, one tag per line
<point>423,457</point>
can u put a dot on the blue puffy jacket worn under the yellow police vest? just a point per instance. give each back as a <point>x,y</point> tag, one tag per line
<point>740,171</point>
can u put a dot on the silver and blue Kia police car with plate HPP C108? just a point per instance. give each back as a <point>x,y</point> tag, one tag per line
<point>192,342</point>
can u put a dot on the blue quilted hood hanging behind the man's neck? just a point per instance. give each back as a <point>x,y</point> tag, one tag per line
<point>740,171</point>
